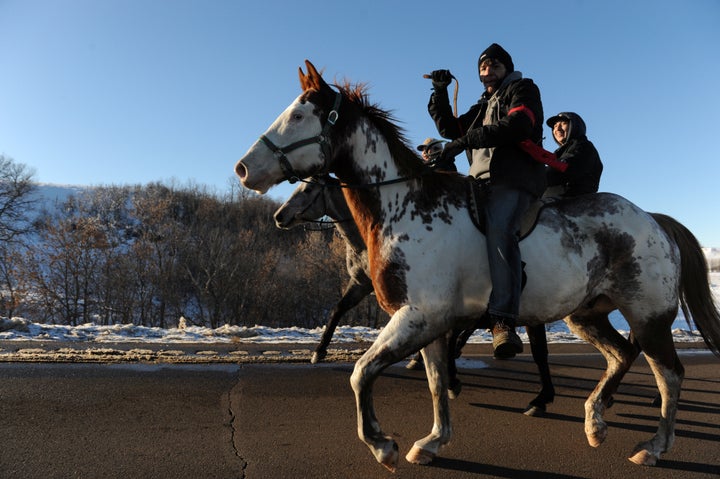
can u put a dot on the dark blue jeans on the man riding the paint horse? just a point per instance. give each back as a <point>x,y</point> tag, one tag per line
<point>504,209</point>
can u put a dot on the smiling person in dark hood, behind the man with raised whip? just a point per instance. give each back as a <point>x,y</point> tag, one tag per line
<point>584,166</point>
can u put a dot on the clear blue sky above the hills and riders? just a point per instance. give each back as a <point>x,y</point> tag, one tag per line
<point>110,92</point>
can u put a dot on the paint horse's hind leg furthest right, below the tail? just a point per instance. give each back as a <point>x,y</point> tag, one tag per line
<point>669,373</point>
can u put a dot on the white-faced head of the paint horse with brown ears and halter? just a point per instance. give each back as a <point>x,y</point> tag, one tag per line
<point>298,144</point>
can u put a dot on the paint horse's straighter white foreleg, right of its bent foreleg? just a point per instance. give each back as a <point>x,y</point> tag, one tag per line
<point>436,368</point>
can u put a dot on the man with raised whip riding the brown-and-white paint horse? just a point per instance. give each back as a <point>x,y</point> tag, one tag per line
<point>508,113</point>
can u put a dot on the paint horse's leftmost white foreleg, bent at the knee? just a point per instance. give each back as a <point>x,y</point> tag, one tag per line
<point>406,332</point>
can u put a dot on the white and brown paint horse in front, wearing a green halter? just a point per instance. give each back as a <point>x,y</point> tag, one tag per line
<point>429,268</point>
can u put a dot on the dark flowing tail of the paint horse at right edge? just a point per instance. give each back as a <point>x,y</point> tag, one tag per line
<point>695,295</point>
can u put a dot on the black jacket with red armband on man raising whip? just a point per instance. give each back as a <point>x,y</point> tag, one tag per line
<point>493,136</point>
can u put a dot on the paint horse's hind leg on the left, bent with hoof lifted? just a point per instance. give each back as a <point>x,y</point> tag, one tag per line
<point>619,353</point>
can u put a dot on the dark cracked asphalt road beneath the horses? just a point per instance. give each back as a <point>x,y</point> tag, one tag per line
<point>290,420</point>
